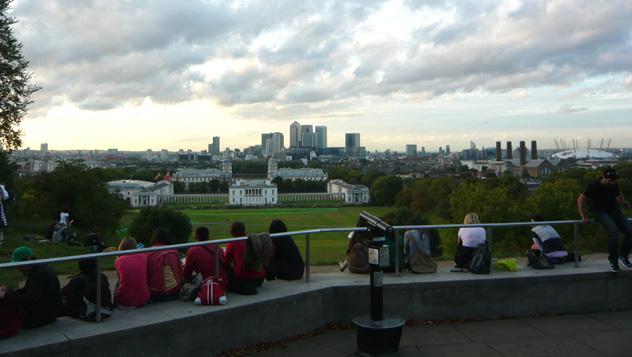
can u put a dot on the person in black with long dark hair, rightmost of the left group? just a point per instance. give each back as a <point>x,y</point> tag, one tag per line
<point>287,263</point>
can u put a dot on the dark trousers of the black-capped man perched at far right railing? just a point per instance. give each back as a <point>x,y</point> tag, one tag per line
<point>614,222</point>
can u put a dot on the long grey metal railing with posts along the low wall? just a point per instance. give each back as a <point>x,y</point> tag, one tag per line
<point>308,233</point>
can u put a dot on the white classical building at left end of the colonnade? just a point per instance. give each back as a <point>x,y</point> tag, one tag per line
<point>140,193</point>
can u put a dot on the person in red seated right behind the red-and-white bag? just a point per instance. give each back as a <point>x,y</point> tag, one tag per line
<point>203,259</point>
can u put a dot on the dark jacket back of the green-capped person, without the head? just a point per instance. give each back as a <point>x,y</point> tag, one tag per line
<point>40,298</point>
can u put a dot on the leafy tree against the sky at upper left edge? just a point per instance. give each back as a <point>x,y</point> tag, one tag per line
<point>15,87</point>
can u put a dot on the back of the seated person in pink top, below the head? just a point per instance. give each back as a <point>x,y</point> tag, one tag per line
<point>132,290</point>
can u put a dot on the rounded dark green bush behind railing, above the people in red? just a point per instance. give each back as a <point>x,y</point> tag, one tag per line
<point>151,218</point>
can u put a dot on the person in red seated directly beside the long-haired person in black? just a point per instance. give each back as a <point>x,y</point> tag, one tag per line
<point>241,279</point>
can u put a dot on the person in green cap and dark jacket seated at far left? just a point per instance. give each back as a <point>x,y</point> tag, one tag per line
<point>40,299</point>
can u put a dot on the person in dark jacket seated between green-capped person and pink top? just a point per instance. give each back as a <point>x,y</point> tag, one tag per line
<point>79,296</point>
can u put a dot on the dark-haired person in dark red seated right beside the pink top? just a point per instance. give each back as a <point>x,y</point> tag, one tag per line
<point>164,269</point>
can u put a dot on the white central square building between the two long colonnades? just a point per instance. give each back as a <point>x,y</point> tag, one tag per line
<point>252,193</point>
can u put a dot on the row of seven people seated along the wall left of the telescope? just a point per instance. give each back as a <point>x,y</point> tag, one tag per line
<point>144,277</point>
